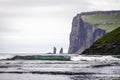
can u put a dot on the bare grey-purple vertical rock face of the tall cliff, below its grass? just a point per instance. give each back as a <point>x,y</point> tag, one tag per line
<point>83,35</point>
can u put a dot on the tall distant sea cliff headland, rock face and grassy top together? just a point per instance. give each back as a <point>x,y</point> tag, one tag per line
<point>90,26</point>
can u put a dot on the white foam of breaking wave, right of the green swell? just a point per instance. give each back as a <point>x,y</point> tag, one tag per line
<point>89,58</point>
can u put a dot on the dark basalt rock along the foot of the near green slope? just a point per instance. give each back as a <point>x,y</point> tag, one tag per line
<point>103,49</point>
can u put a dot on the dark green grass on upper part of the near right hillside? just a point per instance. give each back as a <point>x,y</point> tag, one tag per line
<point>111,37</point>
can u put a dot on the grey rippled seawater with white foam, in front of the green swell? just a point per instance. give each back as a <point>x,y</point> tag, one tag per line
<point>79,68</point>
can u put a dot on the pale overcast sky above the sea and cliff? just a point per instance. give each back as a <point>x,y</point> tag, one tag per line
<point>36,26</point>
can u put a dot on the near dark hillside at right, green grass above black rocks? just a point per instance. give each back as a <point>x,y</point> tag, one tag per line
<point>109,44</point>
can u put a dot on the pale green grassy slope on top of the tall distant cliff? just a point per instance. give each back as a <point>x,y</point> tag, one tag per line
<point>104,20</point>
